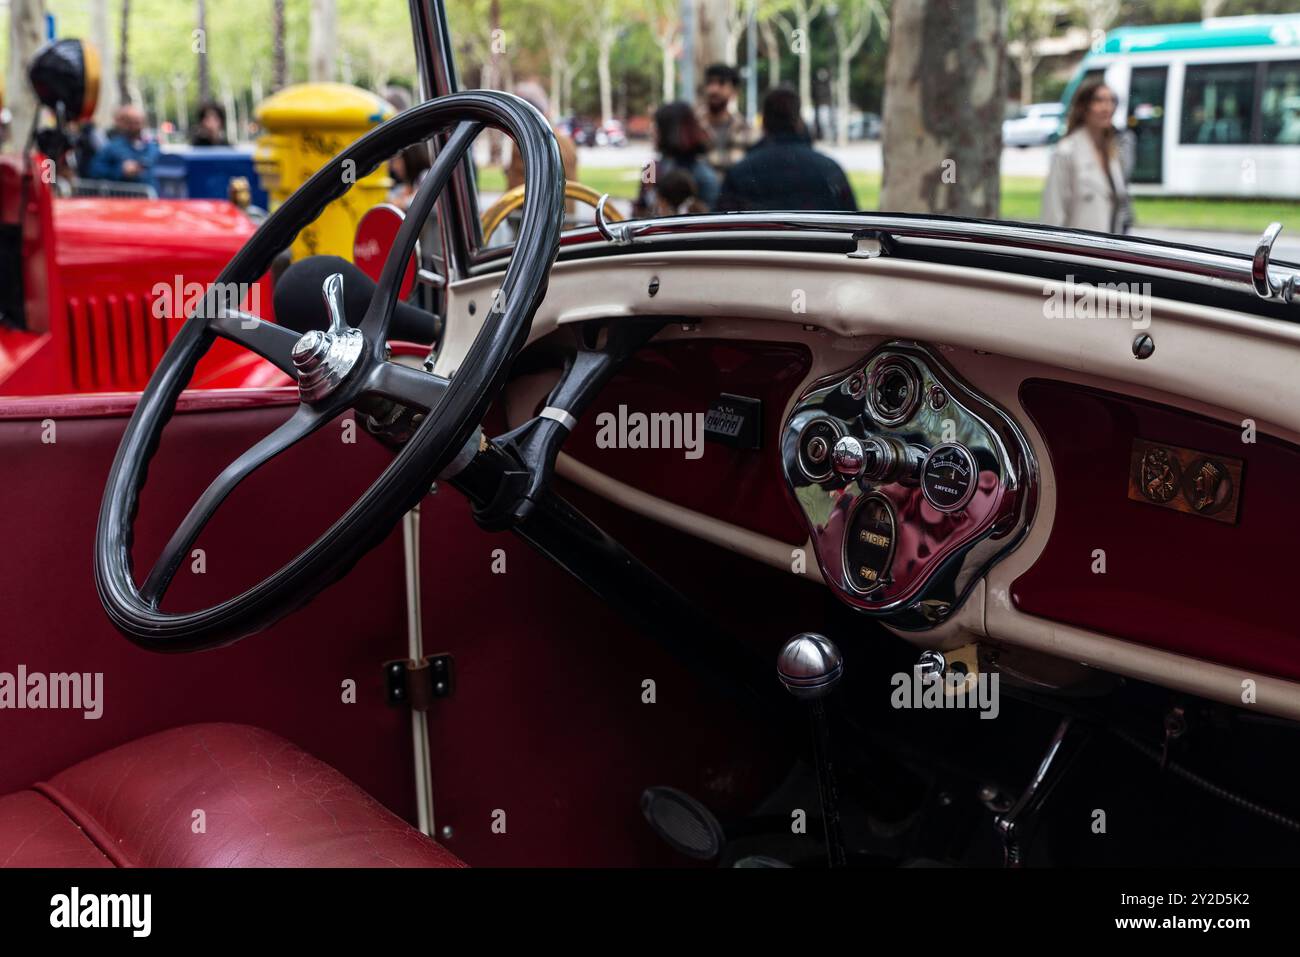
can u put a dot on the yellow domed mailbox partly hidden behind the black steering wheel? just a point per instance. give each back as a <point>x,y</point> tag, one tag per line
<point>305,127</point>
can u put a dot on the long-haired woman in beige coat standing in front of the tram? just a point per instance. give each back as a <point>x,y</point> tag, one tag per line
<point>1086,183</point>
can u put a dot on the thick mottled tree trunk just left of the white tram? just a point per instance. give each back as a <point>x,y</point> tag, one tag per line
<point>944,89</point>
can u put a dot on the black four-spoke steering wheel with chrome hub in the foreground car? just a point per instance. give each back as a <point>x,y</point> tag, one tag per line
<point>335,370</point>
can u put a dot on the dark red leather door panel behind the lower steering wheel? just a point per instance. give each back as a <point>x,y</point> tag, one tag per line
<point>289,679</point>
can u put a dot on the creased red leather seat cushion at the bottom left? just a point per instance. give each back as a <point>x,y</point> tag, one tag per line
<point>265,803</point>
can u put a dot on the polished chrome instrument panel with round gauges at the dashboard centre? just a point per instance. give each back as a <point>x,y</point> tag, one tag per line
<point>928,484</point>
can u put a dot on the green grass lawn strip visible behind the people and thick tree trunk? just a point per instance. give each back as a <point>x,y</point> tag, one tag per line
<point>1021,200</point>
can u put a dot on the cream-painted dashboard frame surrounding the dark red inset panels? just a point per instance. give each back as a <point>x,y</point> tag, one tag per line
<point>995,334</point>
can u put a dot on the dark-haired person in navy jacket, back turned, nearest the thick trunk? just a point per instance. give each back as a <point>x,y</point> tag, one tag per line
<point>783,171</point>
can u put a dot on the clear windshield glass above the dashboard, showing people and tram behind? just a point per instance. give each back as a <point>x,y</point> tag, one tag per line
<point>1125,116</point>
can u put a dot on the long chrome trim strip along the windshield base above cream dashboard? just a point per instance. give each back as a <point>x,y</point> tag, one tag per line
<point>1227,271</point>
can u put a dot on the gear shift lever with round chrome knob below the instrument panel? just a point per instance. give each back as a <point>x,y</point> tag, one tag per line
<point>811,668</point>
